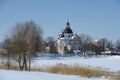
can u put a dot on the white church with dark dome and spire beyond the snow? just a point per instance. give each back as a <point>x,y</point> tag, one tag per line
<point>68,42</point>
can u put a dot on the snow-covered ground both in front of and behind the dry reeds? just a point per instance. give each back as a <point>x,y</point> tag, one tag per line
<point>110,63</point>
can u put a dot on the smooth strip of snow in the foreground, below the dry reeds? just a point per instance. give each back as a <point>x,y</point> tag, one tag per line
<point>17,75</point>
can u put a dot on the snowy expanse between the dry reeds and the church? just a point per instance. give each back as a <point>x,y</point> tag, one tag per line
<point>110,63</point>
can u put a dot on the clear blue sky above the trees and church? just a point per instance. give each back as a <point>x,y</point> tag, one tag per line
<point>97,18</point>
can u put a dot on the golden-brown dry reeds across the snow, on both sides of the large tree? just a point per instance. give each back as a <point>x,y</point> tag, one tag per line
<point>74,70</point>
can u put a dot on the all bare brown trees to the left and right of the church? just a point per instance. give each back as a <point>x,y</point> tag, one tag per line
<point>26,40</point>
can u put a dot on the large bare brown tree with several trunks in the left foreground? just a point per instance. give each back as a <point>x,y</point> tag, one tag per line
<point>26,40</point>
